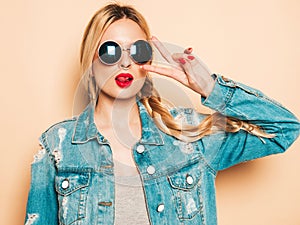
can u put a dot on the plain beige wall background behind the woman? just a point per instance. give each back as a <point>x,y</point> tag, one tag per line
<point>255,42</point>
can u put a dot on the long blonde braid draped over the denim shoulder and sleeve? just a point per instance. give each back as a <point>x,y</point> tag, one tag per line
<point>212,123</point>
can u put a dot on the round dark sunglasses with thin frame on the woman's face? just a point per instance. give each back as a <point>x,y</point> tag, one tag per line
<point>110,52</point>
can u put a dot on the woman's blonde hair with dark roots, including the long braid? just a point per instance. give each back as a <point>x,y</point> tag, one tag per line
<point>94,31</point>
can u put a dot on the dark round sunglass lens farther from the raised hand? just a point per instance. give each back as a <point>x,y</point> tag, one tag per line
<point>110,52</point>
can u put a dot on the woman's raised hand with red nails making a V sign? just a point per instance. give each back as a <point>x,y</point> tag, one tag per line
<point>185,68</point>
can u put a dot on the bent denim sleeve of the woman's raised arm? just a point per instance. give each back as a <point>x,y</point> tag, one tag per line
<point>245,103</point>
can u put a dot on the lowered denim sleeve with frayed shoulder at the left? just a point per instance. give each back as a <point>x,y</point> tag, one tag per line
<point>42,200</point>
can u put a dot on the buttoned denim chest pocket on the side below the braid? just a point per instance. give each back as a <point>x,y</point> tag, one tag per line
<point>185,185</point>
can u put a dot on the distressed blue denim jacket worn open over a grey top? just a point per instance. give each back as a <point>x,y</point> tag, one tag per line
<point>73,174</point>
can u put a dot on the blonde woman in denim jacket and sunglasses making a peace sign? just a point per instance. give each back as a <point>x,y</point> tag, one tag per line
<point>127,159</point>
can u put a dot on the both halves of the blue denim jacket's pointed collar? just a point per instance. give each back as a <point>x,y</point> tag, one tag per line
<point>85,128</point>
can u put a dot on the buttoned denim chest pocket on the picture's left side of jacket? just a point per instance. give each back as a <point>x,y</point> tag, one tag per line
<point>72,189</point>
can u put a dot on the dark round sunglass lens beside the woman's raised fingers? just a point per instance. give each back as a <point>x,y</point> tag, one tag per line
<point>141,52</point>
